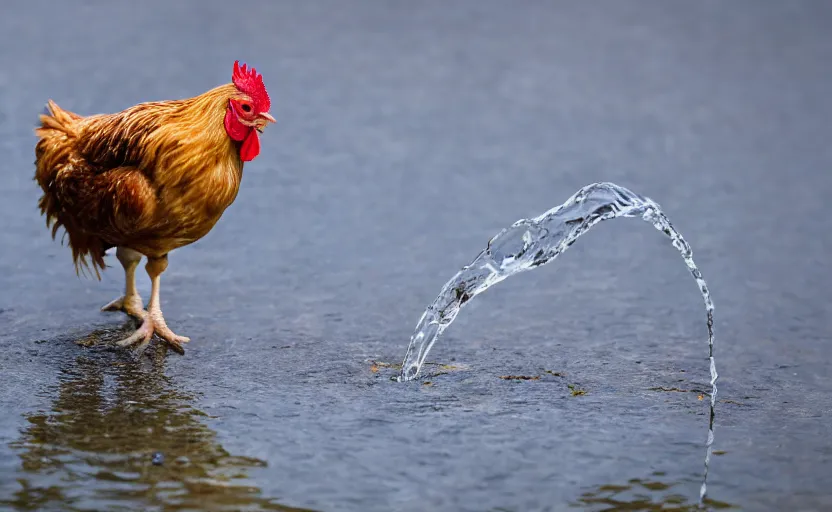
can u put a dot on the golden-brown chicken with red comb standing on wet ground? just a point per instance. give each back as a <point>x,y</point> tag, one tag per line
<point>147,180</point>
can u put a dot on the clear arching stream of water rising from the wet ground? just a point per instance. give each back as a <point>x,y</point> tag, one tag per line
<point>530,243</point>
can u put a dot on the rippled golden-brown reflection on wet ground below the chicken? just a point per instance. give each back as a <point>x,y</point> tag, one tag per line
<point>112,413</point>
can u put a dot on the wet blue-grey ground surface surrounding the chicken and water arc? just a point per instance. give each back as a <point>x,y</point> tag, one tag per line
<point>406,137</point>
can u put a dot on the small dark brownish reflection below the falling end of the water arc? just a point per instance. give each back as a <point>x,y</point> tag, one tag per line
<point>644,495</point>
